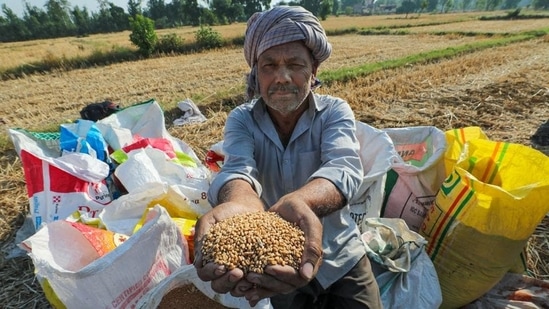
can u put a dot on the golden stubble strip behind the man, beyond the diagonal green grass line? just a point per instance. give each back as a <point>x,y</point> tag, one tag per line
<point>172,79</point>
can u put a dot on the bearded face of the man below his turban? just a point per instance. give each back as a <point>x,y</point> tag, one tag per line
<point>285,73</point>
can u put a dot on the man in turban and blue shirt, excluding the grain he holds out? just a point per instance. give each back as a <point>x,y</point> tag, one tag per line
<point>293,152</point>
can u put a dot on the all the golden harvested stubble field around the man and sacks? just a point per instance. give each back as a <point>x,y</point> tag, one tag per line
<point>504,90</point>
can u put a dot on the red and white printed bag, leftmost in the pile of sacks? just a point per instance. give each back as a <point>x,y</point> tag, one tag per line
<point>60,183</point>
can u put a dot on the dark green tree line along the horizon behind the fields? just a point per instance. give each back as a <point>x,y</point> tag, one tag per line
<point>59,19</point>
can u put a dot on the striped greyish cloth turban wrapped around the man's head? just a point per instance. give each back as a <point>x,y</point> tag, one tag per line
<point>280,25</point>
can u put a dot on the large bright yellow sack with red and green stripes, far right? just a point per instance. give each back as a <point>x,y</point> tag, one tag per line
<point>483,216</point>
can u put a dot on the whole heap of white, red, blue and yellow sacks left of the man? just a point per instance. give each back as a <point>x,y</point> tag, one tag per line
<point>113,203</point>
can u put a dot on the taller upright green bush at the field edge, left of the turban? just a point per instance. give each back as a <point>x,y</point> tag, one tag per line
<point>143,34</point>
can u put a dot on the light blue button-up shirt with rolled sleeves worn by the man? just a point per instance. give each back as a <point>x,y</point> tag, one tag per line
<point>323,145</point>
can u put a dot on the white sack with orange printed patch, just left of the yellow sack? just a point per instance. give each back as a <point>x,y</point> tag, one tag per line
<point>415,177</point>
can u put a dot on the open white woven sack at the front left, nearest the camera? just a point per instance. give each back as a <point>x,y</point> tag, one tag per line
<point>117,279</point>
